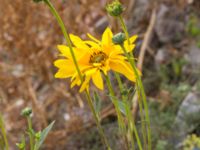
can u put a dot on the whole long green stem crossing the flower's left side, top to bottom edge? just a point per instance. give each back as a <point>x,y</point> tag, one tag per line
<point>67,38</point>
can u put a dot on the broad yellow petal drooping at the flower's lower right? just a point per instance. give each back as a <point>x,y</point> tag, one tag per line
<point>124,68</point>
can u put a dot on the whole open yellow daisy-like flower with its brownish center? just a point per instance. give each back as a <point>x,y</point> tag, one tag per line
<point>94,57</point>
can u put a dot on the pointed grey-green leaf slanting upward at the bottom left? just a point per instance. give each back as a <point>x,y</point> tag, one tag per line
<point>43,136</point>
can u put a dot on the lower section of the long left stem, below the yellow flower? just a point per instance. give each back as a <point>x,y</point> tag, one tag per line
<point>103,137</point>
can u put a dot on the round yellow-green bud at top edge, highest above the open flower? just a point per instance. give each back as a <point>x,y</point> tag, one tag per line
<point>115,8</point>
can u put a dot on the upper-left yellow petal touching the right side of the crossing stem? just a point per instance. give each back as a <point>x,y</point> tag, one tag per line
<point>78,42</point>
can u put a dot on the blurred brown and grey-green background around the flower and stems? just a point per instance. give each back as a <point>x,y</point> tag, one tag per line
<point>169,36</point>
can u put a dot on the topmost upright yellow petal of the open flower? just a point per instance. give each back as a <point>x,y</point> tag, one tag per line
<point>107,37</point>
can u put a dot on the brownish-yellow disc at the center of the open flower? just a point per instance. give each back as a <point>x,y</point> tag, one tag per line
<point>98,57</point>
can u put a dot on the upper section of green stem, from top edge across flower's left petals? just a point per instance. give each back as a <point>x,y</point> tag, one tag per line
<point>66,35</point>
